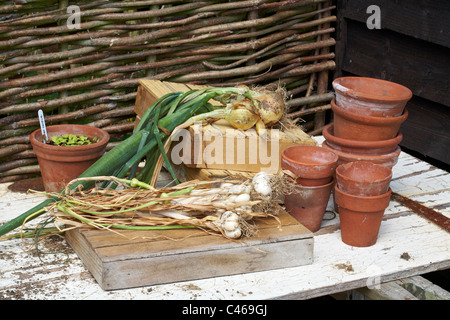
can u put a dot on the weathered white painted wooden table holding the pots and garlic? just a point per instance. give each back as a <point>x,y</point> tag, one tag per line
<point>407,245</point>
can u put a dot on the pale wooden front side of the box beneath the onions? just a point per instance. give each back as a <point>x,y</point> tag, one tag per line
<point>218,146</point>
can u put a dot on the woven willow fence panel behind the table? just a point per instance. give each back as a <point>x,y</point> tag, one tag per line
<point>80,61</point>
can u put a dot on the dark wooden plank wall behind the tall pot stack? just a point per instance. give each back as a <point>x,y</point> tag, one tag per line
<point>411,48</point>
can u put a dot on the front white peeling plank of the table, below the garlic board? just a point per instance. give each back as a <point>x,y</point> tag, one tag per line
<point>337,267</point>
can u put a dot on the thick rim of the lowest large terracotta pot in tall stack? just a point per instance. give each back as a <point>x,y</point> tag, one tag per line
<point>360,147</point>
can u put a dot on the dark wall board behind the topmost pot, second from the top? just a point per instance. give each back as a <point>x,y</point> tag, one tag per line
<point>388,55</point>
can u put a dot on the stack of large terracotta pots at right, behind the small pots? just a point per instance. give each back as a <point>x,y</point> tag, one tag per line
<point>368,114</point>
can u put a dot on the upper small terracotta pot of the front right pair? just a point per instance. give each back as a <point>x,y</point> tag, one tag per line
<point>362,178</point>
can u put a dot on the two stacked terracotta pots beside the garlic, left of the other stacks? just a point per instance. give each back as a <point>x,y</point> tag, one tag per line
<point>313,169</point>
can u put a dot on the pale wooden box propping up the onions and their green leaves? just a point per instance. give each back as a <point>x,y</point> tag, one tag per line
<point>249,152</point>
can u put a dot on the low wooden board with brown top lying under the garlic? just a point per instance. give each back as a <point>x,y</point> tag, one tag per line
<point>140,258</point>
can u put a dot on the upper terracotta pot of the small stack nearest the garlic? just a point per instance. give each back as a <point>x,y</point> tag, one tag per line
<point>313,165</point>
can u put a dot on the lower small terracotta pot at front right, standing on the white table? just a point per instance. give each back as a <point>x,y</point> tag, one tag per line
<point>360,217</point>
